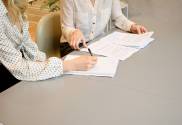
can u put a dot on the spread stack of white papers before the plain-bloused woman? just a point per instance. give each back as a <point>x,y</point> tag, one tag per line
<point>120,45</point>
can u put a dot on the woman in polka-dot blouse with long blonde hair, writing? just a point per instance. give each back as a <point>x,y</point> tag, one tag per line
<point>20,55</point>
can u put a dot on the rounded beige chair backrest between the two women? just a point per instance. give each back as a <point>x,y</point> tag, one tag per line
<point>48,34</point>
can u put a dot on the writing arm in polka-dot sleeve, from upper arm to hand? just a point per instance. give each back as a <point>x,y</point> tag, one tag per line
<point>29,70</point>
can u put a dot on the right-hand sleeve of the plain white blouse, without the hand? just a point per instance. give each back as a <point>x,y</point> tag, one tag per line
<point>120,20</point>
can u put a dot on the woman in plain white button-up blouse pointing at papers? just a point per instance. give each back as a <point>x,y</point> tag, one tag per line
<point>83,20</point>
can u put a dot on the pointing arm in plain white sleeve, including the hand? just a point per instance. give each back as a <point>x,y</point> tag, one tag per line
<point>73,36</point>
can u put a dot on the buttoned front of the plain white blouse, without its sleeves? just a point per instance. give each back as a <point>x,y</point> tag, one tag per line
<point>92,16</point>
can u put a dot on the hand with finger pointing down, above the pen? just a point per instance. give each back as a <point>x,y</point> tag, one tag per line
<point>77,38</point>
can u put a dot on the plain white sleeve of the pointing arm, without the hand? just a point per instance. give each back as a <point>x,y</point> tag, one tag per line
<point>67,19</point>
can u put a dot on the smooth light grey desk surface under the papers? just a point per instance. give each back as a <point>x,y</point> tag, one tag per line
<point>147,89</point>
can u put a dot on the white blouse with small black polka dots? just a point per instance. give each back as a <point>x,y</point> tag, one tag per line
<point>20,55</point>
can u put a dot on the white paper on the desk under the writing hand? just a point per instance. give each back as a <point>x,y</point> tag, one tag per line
<point>105,66</point>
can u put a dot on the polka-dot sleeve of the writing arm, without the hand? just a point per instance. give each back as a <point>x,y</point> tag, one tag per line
<point>24,69</point>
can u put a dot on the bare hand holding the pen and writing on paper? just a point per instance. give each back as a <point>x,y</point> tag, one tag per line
<point>82,63</point>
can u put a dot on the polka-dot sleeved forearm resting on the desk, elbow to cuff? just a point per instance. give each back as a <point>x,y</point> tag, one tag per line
<point>34,71</point>
